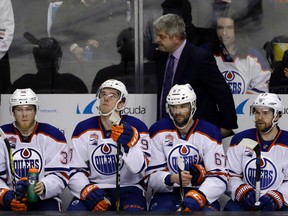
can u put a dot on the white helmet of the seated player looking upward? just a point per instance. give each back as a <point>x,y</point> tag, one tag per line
<point>114,84</point>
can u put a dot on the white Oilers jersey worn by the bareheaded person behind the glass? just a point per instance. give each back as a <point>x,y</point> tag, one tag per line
<point>245,75</point>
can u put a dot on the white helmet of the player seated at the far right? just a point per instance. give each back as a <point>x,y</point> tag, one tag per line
<point>270,100</point>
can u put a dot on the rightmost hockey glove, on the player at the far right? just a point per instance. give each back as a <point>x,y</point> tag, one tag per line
<point>271,201</point>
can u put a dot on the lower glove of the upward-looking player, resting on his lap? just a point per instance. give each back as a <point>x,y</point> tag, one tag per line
<point>94,198</point>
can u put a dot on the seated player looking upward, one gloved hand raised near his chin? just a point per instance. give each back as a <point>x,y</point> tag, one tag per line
<point>95,157</point>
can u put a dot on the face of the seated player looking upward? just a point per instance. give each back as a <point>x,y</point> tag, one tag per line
<point>108,99</point>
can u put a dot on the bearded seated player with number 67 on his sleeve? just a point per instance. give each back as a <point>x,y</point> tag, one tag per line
<point>199,144</point>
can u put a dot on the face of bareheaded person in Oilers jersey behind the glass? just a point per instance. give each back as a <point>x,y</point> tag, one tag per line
<point>225,31</point>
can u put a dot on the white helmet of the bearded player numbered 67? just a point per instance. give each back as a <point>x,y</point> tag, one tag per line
<point>181,94</point>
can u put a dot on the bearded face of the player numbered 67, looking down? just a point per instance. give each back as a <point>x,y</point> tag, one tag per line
<point>180,113</point>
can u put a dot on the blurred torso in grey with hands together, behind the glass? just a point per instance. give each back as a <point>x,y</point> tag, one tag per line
<point>84,28</point>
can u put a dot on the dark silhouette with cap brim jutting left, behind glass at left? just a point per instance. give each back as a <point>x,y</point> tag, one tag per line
<point>47,54</point>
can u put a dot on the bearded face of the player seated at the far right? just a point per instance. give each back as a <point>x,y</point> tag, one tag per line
<point>263,119</point>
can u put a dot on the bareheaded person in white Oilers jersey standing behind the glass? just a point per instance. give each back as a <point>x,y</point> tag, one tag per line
<point>244,69</point>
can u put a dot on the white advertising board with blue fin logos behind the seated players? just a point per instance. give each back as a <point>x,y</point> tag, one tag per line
<point>66,110</point>
